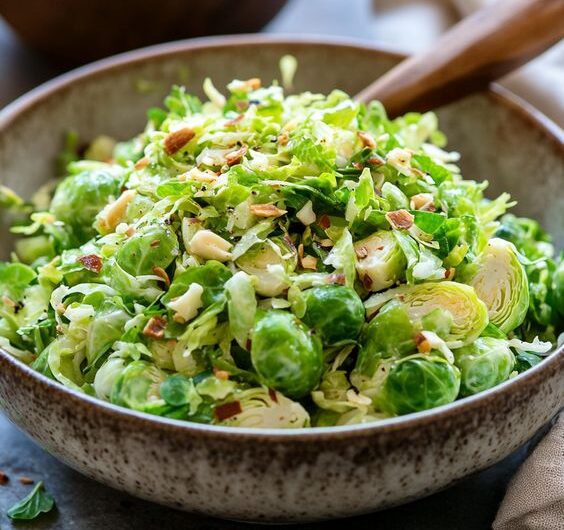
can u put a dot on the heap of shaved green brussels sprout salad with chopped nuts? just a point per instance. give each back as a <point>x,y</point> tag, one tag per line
<point>262,260</point>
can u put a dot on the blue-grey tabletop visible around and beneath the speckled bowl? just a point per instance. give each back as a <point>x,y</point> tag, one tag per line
<point>87,505</point>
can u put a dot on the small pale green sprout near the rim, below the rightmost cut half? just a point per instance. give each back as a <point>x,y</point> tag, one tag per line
<point>484,364</point>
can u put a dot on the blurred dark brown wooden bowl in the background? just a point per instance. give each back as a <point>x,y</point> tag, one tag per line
<point>72,32</point>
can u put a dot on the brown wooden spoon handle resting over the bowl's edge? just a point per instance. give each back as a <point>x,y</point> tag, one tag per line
<point>478,50</point>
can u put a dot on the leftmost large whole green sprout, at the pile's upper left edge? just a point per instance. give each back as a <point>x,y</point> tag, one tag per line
<point>79,198</point>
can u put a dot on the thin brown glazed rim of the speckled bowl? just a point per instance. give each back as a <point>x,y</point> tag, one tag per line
<point>501,96</point>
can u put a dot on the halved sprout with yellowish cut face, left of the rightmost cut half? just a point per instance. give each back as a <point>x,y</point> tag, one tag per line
<point>469,313</point>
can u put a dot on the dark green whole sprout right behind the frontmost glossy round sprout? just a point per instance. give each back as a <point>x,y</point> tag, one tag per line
<point>335,311</point>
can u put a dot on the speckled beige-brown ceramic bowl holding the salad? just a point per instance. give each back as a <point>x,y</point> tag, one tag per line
<point>276,475</point>
